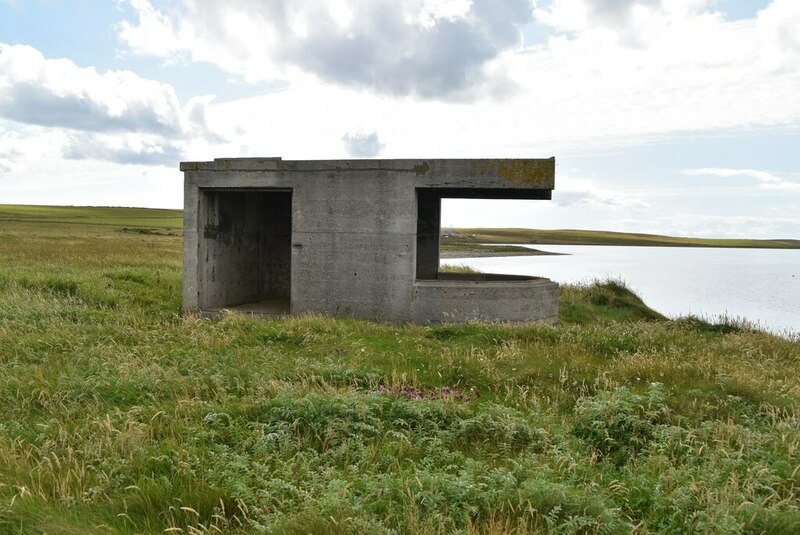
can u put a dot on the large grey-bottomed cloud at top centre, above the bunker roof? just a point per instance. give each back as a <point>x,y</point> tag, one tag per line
<point>431,49</point>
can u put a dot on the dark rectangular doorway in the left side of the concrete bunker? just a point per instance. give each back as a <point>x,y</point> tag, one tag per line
<point>245,253</point>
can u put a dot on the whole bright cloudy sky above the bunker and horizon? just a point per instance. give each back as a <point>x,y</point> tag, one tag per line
<point>677,117</point>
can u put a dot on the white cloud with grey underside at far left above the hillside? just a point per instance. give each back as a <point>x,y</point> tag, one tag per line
<point>114,116</point>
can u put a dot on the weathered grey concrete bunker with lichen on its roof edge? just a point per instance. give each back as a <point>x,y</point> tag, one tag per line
<point>356,238</point>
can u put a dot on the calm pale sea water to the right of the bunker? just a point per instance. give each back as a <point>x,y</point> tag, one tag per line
<point>760,285</point>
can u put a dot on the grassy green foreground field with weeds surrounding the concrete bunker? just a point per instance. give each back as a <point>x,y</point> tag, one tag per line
<point>119,415</point>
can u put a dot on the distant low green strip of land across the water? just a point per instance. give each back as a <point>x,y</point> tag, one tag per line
<point>596,237</point>
